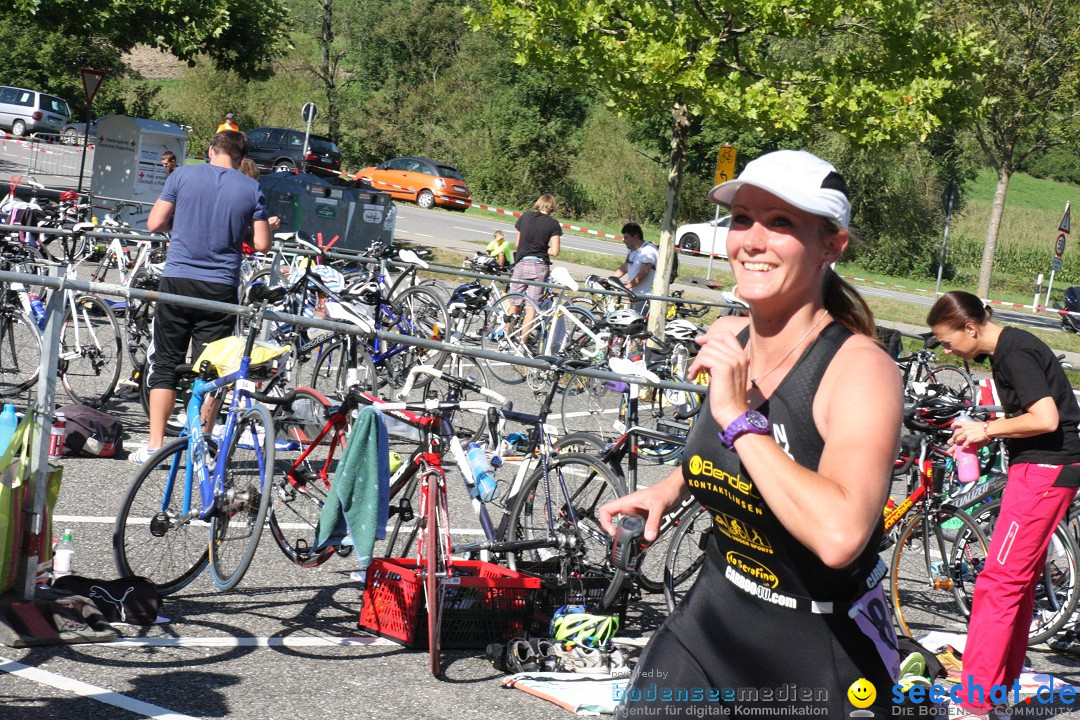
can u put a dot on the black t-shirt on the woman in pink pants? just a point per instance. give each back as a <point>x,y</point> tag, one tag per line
<point>1027,371</point>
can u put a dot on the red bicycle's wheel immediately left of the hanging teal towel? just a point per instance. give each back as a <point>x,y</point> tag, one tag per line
<point>305,469</point>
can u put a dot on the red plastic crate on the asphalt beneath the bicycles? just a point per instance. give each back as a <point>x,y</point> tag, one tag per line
<point>483,603</point>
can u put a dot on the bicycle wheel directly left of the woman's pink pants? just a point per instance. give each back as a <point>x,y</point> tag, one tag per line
<point>933,580</point>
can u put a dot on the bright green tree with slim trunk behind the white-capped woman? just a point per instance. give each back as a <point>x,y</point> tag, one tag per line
<point>880,73</point>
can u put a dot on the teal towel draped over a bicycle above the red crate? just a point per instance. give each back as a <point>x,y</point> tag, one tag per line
<point>359,501</point>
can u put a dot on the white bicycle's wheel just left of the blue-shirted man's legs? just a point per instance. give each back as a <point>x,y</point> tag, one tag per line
<point>90,351</point>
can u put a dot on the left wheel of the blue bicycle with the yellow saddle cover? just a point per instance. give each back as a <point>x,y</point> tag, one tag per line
<point>153,537</point>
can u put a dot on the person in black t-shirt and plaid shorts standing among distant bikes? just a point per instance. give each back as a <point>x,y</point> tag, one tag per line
<point>539,236</point>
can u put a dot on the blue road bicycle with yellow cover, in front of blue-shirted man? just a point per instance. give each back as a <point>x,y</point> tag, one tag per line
<point>161,526</point>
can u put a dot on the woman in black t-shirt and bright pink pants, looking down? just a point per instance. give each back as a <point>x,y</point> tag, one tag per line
<point>1042,430</point>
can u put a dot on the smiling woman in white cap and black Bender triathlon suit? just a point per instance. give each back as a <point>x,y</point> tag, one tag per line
<point>792,455</point>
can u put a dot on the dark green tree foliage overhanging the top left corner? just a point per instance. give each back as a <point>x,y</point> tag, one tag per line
<point>237,35</point>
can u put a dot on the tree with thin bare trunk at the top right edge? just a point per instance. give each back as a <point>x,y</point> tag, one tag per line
<point>1033,92</point>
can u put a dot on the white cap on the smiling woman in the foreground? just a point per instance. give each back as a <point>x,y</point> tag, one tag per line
<point>799,179</point>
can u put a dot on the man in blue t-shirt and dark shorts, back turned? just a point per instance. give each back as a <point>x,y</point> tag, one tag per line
<point>209,210</point>
